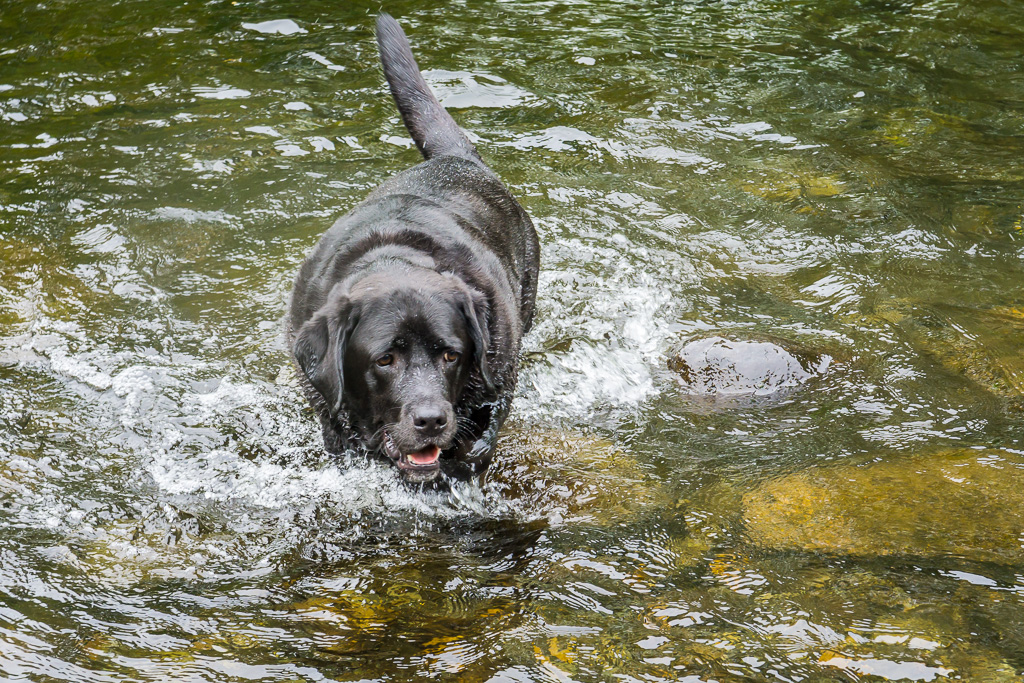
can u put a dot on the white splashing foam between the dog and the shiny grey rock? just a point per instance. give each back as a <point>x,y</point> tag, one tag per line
<point>610,330</point>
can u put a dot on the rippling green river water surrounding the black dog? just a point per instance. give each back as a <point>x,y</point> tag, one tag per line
<point>842,180</point>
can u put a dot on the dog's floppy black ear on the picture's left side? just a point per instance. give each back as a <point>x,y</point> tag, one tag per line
<point>320,349</point>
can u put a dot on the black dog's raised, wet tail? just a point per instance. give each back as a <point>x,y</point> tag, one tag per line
<point>433,129</point>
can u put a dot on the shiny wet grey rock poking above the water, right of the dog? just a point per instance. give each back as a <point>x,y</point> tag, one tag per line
<point>720,366</point>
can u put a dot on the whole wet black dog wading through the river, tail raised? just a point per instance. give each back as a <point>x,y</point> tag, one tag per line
<point>407,318</point>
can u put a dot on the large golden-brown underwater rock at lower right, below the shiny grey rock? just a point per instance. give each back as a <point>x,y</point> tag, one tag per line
<point>954,503</point>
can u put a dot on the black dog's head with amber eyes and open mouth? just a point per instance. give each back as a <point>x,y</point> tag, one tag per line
<point>399,355</point>
